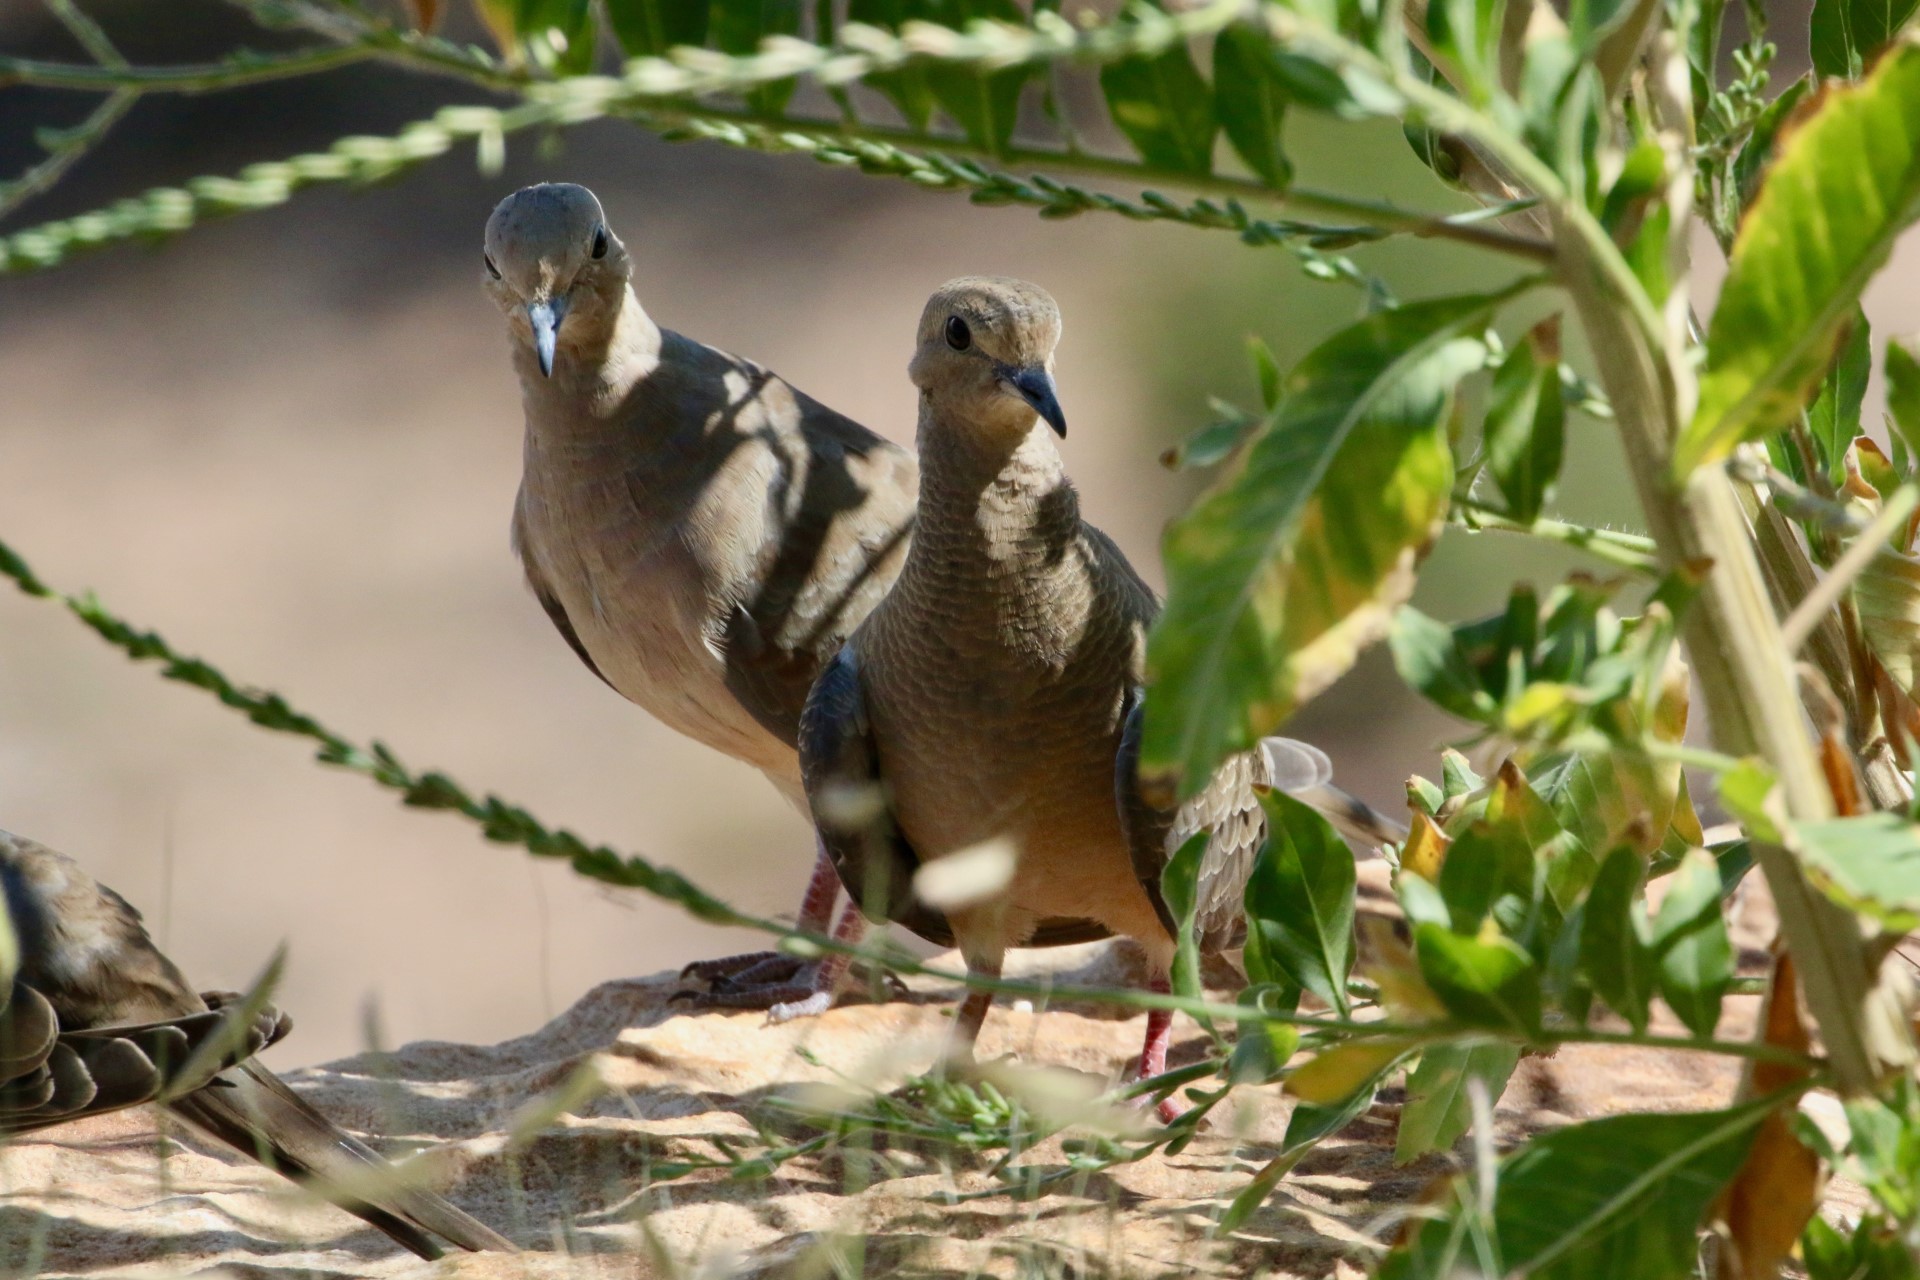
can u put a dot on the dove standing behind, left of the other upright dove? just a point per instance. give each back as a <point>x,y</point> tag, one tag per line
<point>700,533</point>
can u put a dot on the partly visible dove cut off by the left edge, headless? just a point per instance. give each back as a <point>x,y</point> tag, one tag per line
<point>95,1018</point>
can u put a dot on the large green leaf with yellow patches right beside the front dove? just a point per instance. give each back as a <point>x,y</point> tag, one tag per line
<point>1297,559</point>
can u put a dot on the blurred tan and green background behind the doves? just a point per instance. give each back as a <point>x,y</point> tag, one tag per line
<point>291,444</point>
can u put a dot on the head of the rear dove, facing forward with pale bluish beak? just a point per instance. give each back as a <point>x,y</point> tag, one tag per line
<point>556,270</point>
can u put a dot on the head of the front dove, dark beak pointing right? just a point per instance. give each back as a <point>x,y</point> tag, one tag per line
<point>986,354</point>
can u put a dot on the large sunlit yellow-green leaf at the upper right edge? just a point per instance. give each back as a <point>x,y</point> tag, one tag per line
<point>1844,187</point>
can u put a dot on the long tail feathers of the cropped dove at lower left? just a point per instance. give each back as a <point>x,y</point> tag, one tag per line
<point>258,1116</point>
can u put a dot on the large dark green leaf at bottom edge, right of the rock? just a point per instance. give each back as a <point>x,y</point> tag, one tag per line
<point>1621,1197</point>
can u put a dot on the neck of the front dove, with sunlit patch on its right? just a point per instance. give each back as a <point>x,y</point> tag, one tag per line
<point>999,502</point>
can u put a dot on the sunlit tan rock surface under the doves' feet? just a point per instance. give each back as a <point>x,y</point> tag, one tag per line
<point>594,1193</point>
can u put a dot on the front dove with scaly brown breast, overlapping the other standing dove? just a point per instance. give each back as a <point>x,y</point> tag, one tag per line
<point>994,698</point>
